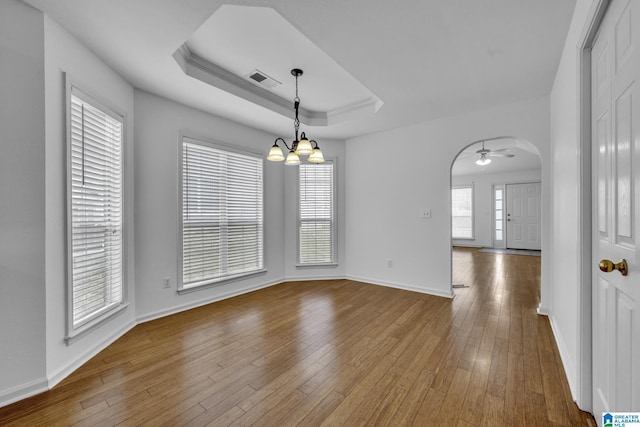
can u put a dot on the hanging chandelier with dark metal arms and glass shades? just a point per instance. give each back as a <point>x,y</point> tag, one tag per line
<point>299,147</point>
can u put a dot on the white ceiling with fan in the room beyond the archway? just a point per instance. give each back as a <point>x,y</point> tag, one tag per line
<point>526,157</point>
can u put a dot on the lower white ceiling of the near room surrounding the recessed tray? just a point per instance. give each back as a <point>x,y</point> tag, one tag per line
<point>424,59</point>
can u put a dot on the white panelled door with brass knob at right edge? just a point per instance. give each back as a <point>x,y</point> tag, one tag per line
<point>616,216</point>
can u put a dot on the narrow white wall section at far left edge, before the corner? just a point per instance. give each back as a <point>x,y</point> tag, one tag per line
<point>22,192</point>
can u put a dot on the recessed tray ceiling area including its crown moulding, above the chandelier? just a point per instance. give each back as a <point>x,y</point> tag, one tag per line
<point>224,54</point>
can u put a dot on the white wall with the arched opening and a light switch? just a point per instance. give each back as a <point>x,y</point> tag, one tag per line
<point>393,175</point>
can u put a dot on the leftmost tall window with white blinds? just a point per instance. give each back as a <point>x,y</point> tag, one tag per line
<point>95,191</point>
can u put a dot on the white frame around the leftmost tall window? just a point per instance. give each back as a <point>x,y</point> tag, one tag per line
<point>118,292</point>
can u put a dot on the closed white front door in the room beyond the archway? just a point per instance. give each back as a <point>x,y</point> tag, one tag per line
<point>523,216</point>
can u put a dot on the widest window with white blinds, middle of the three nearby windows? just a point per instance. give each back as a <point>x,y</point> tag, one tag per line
<point>221,219</point>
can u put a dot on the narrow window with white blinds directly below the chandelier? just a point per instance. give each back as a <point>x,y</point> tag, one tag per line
<point>316,223</point>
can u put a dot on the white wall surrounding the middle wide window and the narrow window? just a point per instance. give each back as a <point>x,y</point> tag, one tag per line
<point>159,123</point>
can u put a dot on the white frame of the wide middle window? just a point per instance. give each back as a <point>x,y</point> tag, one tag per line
<point>215,146</point>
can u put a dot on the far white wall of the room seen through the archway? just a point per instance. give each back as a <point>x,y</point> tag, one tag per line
<point>483,201</point>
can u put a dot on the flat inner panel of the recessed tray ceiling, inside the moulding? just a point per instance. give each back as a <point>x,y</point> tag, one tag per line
<point>259,42</point>
